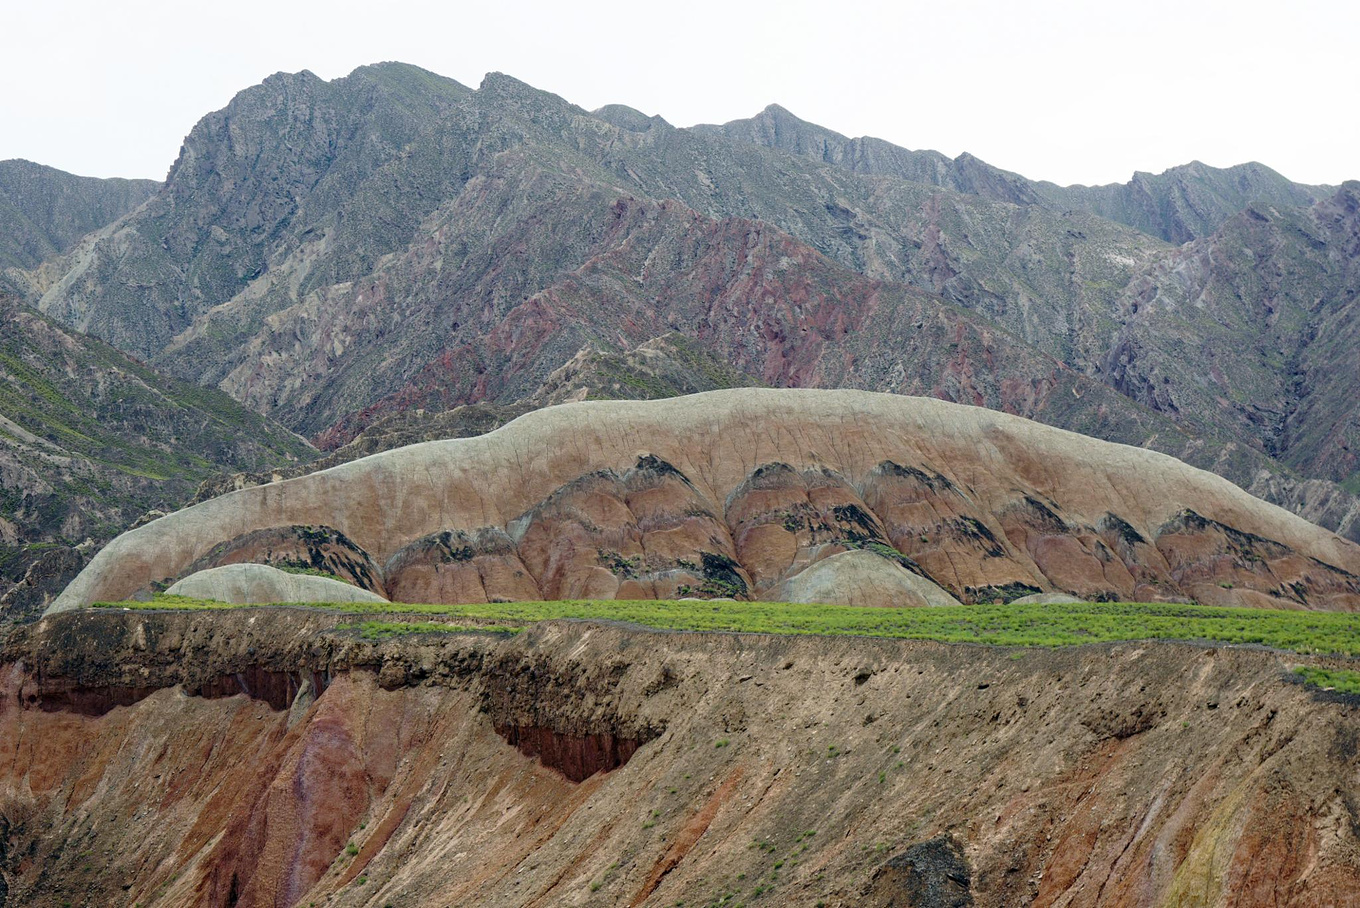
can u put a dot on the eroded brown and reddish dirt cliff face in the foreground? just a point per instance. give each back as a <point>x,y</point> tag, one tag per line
<point>262,759</point>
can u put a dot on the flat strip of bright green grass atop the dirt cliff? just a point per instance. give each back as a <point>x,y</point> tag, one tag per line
<point>1314,633</point>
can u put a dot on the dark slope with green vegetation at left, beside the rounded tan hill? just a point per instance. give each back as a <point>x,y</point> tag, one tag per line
<point>92,440</point>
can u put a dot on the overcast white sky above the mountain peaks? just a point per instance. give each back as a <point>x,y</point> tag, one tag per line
<point>1052,89</point>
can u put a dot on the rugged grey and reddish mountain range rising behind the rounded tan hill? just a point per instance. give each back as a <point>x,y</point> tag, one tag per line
<point>386,248</point>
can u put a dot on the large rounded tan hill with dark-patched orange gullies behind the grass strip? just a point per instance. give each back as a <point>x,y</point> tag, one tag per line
<point>735,494</point>
